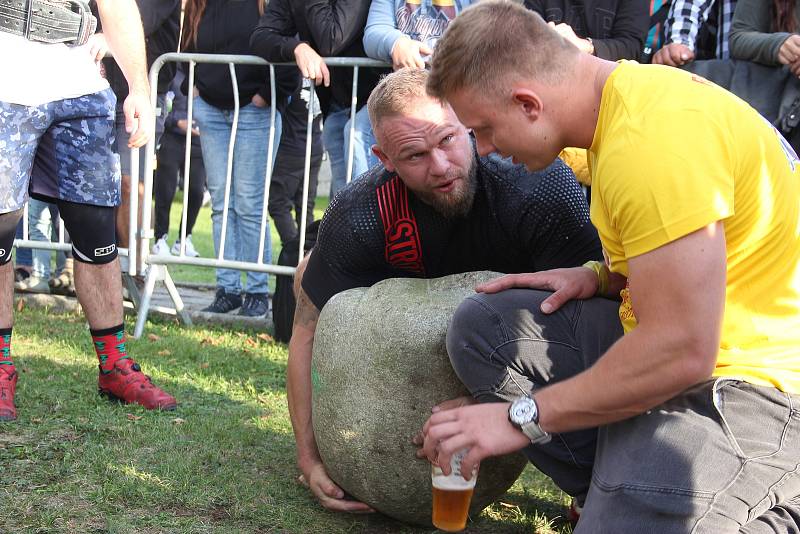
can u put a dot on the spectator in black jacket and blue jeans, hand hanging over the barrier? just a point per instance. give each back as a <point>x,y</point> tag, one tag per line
<point>304,30</point>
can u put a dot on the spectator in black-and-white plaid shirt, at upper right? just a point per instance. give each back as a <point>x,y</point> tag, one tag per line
<point>685,19</point>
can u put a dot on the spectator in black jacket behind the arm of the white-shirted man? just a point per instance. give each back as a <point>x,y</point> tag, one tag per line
<point>161,24</point>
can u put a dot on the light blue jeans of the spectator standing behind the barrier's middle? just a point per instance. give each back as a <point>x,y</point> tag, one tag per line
<point>245,205</point>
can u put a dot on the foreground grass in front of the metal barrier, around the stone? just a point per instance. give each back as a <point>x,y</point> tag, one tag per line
<point>223,463</point>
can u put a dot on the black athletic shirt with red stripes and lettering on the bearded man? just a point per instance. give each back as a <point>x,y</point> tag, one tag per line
<point>520,221</point>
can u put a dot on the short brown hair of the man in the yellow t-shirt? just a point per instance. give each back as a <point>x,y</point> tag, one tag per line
<point>494,42</point>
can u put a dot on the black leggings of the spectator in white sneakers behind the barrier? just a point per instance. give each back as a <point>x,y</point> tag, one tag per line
<point>170,163</point>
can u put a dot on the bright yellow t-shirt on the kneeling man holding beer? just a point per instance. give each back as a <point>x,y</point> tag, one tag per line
<point>673,153</point>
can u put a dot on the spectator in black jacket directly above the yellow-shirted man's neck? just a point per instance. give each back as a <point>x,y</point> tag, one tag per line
<point>608,29</point>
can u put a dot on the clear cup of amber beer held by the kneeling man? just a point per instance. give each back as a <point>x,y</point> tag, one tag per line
<point>451,495</point>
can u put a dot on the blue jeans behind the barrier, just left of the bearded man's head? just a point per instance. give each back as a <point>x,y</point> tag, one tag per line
<point>336,138</point>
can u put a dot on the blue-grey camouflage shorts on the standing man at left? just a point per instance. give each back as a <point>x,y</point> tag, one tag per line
<point>71,142</point>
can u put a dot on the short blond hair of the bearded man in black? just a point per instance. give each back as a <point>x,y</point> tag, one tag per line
<point>396,93</point>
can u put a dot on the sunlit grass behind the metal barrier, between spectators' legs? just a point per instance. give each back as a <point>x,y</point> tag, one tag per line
<point>203,242</point>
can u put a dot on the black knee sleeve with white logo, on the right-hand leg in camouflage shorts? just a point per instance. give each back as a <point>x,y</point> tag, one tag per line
<point>92,229</point>
